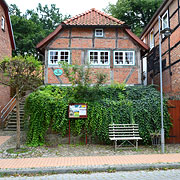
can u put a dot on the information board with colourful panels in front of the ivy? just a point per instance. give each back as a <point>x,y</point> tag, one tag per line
<point>77,110</point>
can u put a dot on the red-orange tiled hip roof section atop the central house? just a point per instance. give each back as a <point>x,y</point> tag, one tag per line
<point>93,17</point>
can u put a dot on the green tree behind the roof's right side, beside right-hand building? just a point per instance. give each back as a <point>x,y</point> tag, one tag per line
<point>135,13</point>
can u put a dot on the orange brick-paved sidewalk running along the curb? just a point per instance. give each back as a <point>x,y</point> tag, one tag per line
<point>89,161</point>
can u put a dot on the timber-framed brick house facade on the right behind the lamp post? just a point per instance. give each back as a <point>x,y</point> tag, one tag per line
<point>169,13</point>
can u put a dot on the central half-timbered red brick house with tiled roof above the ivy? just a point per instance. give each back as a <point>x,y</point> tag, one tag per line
<point>94,37</point>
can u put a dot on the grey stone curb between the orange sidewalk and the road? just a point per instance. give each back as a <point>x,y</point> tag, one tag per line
<point>93,169</point>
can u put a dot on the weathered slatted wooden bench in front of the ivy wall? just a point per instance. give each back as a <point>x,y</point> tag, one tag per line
<point>124,132</point>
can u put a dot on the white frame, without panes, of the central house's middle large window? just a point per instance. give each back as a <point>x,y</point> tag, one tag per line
<point>99,58</point>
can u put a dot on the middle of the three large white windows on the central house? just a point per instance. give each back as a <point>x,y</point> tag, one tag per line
<point>99,57</point>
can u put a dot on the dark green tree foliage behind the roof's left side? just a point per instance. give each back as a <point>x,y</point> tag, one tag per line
<point>32,26</point>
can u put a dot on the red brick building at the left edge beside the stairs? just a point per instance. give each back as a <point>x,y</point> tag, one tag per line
<point>7,44</point>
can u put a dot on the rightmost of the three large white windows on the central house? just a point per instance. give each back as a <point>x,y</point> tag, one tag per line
<point>124,58</point>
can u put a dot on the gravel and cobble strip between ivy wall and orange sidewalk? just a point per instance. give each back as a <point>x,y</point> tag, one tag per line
<point>63,150</point>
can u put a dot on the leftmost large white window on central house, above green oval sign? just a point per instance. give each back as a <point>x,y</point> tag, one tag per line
<point>56,56</point>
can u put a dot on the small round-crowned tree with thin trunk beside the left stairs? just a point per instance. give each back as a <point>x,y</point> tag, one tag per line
<point>21,73</point>
